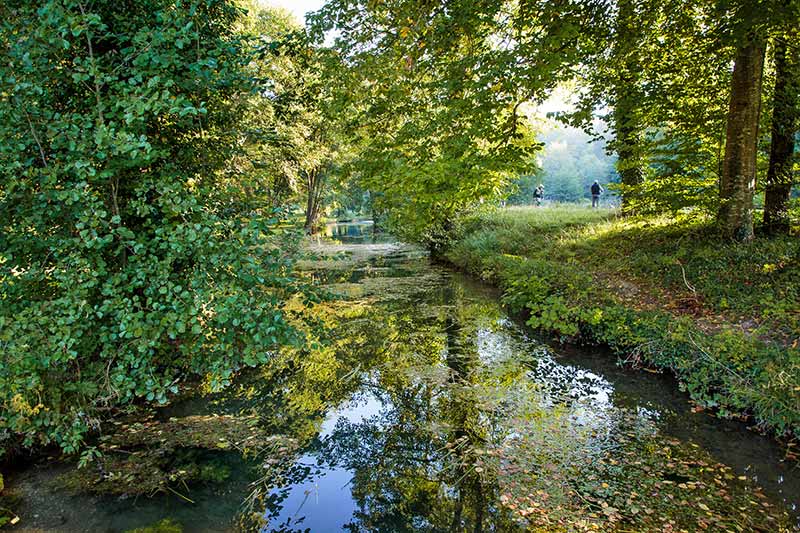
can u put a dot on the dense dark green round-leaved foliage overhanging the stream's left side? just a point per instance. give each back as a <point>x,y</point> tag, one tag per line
<point>130,258</point>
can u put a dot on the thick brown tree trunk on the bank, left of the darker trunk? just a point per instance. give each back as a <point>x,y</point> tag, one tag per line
<point>738,179</point>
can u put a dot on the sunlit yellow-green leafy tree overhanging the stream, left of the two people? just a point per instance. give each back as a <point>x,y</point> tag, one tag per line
<point>438,104</point>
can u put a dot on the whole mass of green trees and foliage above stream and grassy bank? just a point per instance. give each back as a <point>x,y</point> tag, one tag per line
<point>154,151</point>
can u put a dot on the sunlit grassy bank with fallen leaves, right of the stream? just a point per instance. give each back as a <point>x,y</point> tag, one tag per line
<point>666,294</point>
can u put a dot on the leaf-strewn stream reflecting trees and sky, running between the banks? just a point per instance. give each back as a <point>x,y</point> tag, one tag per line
<point>429,410</point>
